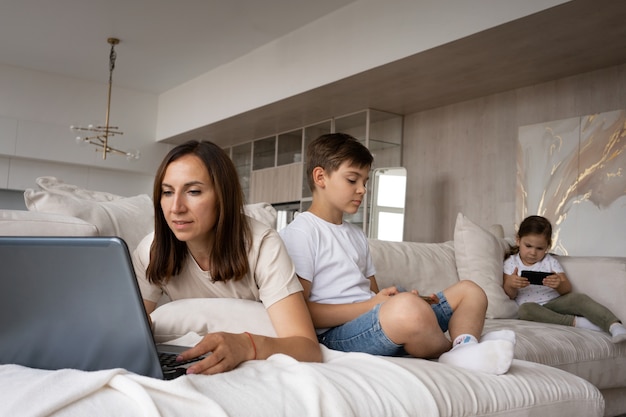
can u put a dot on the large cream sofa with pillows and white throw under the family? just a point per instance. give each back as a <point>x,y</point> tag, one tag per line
<point>558,371</point>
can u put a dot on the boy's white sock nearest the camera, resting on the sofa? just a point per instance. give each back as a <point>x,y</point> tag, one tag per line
<point>490,356</point>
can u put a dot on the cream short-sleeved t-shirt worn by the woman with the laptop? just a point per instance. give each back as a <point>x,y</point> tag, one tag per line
<point>271,278</point>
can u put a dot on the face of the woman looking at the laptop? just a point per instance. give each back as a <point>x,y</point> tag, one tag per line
<point>188,201</point>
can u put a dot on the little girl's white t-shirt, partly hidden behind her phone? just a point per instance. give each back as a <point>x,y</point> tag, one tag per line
<point>539,294</point>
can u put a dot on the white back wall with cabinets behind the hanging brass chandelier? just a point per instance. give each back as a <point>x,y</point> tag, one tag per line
<point>36,110</point>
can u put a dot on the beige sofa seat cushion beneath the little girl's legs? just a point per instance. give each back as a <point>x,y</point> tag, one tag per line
<point>586,353</point>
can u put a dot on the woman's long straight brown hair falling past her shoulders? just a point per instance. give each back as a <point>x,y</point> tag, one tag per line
<point>229,254</point>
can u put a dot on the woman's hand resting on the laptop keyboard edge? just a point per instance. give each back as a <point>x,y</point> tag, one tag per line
<point>223,351</point>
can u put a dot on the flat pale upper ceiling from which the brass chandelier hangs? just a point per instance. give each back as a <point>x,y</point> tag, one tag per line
<point>164,43</point>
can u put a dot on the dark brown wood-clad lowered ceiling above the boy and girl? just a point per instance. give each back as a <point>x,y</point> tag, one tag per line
<point>576,37</point>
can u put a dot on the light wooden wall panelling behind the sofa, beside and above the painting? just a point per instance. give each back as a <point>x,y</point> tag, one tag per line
<point>461,158</point>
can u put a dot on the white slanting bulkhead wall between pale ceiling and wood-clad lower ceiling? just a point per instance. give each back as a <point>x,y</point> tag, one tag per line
<point>358,37</point>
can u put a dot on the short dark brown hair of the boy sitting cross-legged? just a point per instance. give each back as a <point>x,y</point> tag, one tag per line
<point>331,150</point>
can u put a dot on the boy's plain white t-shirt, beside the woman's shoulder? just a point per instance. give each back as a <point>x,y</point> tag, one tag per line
<point>334,258</point>
